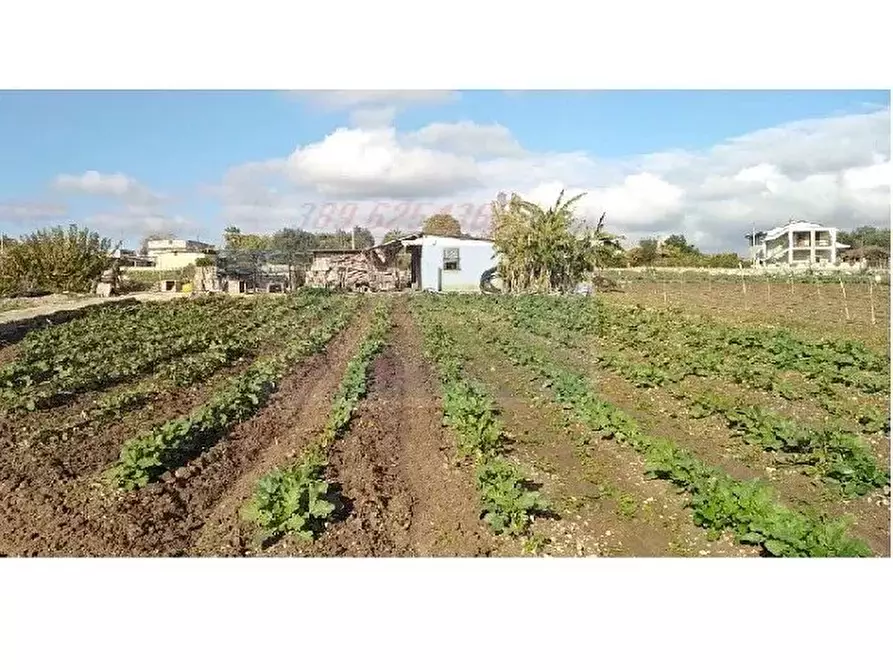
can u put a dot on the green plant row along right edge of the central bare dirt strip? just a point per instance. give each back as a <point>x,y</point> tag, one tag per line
<point>508,503</point>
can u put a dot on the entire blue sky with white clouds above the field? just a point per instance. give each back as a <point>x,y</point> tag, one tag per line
<point>710,165</point>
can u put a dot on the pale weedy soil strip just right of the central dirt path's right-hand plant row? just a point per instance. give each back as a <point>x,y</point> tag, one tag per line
<point>604,503</point>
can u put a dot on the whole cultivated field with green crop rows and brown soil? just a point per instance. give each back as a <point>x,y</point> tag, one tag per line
<point>321,424</point>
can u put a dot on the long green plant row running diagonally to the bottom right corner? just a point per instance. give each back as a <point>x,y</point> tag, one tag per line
<point>718,502</point>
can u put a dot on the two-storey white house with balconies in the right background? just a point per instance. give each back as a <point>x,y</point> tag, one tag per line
<point>796,243</point>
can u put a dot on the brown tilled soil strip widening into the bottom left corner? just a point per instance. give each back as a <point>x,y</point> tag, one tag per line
<point>79,518</point>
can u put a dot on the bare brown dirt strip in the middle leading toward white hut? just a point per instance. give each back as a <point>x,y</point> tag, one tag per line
<point>404,497</point>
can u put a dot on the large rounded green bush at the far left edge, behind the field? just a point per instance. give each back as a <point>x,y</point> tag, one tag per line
<point>56,260</point>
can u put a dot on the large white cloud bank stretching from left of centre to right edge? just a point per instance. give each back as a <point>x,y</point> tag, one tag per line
<point>834,170</point>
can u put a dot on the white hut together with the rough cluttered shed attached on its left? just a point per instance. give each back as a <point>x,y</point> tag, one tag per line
<point>436,263</point>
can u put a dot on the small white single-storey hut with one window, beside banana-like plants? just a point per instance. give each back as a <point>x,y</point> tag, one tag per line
<point>448,264</point>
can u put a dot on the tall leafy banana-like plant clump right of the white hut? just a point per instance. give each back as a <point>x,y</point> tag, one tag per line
<point>540,250</point>
